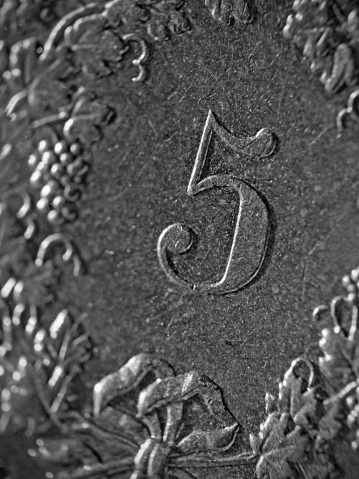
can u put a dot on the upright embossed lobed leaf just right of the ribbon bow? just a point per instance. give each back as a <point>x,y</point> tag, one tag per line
<point>287,442</point>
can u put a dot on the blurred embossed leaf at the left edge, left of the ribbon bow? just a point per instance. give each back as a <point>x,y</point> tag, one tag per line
<point>39,364</point>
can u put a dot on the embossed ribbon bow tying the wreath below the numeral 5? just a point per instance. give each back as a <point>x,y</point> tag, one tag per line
<point>156,437</point>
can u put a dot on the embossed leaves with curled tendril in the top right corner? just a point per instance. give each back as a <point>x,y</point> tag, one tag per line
<point>327,33</point>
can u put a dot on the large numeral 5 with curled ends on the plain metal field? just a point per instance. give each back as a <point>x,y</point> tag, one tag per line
<point>250,239</point>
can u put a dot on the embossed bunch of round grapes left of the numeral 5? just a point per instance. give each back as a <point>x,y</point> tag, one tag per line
<point>59,173</point>
